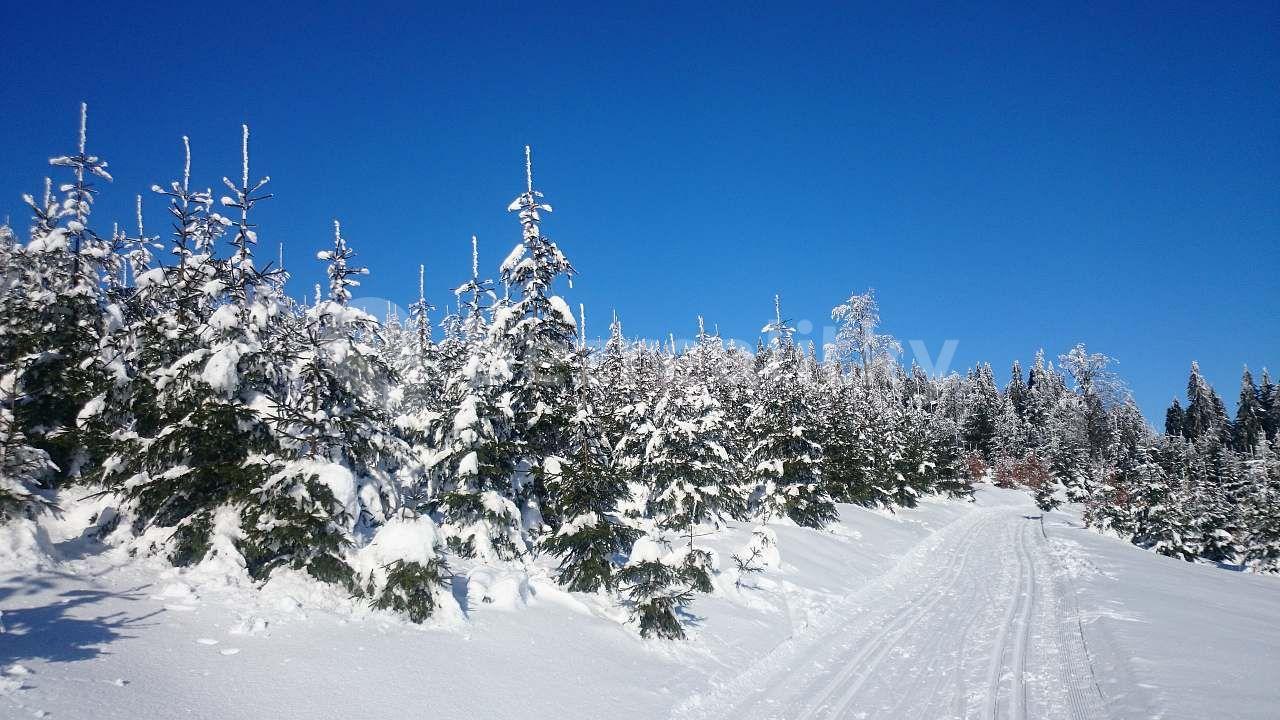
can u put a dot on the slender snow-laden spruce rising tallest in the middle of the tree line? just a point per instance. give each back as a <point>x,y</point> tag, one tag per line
<point>538,330</point>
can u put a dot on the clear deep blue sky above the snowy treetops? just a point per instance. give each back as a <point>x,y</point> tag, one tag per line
<point>1007,177</point>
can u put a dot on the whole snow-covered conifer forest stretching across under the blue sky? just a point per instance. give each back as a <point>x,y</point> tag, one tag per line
<point>171,402</point>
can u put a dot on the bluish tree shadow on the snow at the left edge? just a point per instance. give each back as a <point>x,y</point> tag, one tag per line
<point>67,630</point>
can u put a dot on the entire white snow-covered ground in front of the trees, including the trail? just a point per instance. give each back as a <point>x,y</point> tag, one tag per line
<point>953,610</point>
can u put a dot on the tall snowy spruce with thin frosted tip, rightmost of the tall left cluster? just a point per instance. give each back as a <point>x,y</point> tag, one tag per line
<point>212,444</point>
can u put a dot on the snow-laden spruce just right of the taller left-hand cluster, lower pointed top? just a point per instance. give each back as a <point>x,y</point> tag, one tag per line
<point>333,470</point>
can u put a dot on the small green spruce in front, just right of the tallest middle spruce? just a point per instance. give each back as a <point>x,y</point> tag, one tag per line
<point>589,489</point>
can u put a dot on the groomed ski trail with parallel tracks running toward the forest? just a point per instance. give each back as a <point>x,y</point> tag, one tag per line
<point>975,623</point>
